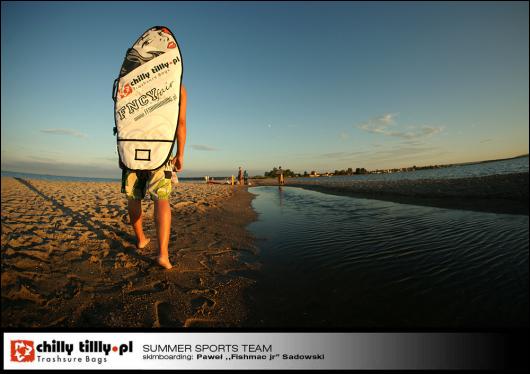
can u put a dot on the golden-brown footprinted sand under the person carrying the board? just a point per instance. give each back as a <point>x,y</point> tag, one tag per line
<point>69,257</point>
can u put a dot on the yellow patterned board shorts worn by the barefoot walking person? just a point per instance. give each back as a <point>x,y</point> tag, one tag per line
<point>135,184</point>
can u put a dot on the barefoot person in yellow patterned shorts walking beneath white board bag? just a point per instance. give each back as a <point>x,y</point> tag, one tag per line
<point>135,184</point>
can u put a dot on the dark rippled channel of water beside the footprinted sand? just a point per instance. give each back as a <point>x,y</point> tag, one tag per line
<point>346,262</point>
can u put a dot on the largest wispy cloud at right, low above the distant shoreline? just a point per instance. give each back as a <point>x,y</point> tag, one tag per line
<point>386,125</point>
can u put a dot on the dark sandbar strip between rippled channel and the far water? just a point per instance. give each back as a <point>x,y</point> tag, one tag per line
<point>506,193</point>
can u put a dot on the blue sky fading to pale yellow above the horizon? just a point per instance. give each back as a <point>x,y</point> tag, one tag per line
<point>303,85</point>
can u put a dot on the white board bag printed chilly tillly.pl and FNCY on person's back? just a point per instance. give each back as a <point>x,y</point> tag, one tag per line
<point>147,100</point>
